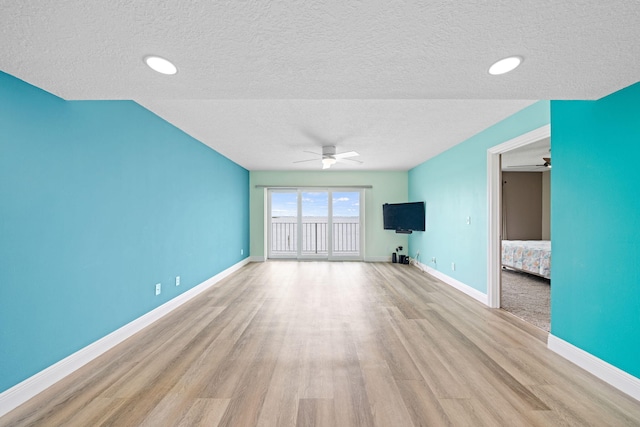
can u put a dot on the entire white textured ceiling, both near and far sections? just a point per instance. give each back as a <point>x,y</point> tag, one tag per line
<point>263,81</point>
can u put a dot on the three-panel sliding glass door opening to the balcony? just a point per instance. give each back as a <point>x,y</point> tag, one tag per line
<point>315,224</point>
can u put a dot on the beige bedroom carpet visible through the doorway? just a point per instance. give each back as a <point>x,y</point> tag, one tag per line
<point>527,297</point>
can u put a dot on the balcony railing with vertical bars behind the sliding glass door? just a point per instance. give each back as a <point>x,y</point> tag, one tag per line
<point>346,238</point>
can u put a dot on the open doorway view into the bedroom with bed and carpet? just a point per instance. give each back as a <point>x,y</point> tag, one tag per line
<point>525,286</point>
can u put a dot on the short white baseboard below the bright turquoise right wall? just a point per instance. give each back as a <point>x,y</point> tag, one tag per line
<point>616,377</point>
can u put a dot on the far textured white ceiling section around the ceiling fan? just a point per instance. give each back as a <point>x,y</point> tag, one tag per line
<point>388,134</point>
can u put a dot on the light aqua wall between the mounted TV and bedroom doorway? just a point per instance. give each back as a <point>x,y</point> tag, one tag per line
<point>454,187</point>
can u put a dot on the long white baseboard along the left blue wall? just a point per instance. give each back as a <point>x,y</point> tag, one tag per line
<point>20,393</point>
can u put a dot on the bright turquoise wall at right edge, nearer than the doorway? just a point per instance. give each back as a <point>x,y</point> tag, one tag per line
<point>595,219</point>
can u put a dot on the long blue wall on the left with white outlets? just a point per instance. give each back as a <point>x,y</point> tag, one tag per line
<point>100,200</point>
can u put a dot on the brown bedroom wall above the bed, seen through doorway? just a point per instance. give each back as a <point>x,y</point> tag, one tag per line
<point>522,205</point>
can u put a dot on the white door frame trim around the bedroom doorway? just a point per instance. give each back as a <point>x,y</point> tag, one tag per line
<point>494,195</point>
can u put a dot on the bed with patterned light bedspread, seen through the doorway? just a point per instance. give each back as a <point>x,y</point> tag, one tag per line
<point>530,256</point>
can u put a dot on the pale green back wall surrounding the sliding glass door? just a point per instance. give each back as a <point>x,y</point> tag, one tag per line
<point>387,187</point>
